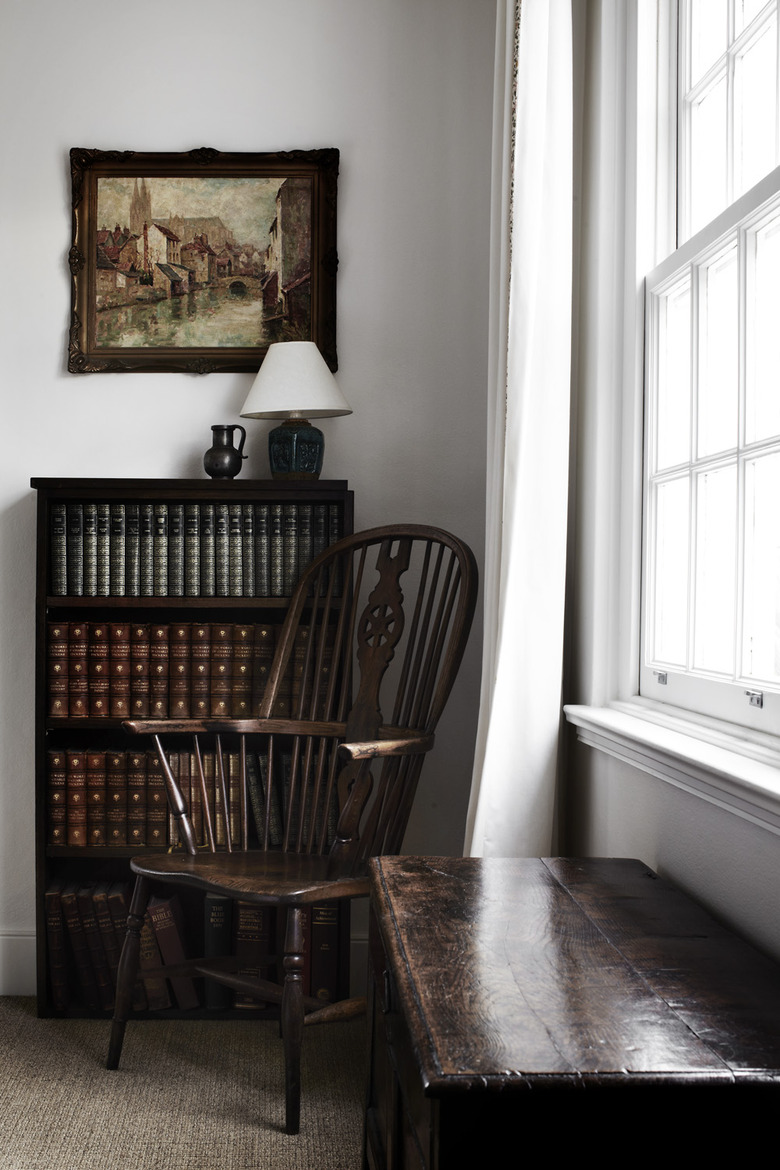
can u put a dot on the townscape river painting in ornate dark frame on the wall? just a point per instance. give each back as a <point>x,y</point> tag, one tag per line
<point>199,261</point>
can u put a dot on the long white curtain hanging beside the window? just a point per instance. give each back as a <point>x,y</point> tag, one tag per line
<point>513,797</point>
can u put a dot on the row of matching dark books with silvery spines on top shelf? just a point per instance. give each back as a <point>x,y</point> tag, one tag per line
<point>187,549</point>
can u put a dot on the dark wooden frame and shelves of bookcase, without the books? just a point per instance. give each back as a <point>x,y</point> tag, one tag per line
<point>111,863</point>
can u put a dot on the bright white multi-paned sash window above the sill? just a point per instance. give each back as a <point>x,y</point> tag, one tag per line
<point>712,560</point>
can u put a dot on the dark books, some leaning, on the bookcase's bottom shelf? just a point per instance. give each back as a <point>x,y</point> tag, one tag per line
<point>86,928</point>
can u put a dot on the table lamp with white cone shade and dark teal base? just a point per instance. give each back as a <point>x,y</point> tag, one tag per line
<point>295,384</point>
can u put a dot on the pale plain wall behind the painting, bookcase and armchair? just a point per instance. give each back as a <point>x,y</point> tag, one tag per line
<point>404,88</point>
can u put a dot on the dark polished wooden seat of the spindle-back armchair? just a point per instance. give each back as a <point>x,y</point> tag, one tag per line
<point>288,879</point>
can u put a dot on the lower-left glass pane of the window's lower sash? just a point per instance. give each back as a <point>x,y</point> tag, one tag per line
<point>669,637</point>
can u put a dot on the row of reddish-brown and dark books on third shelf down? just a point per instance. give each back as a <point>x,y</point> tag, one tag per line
<point>99,799</point>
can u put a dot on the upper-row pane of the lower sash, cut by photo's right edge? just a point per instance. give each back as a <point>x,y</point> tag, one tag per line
<point>763,401</point>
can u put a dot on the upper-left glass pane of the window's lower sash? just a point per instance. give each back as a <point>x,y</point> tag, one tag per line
<point>674,403</point>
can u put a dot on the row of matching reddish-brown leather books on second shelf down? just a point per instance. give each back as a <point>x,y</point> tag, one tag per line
<point>164,671</point>
